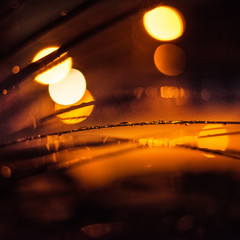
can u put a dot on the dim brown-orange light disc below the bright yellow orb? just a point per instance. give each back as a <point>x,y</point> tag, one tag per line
<point>170,59</point>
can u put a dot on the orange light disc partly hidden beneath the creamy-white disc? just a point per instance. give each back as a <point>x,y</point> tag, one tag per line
<point>79,114</point>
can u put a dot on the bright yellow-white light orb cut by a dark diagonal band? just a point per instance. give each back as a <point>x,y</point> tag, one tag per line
<point>56,73</point>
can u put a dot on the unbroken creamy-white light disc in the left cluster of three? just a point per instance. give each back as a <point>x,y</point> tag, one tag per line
<point>70,90</point>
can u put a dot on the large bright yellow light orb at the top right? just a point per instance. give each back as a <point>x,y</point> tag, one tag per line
<point>164,23</point>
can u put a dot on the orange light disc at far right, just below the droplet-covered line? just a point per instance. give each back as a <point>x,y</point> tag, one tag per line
<point>213,137</point>
